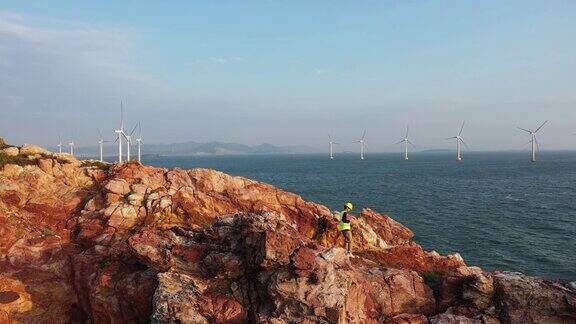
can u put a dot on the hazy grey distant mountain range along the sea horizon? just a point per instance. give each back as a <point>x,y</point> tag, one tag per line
<point>195,148</point>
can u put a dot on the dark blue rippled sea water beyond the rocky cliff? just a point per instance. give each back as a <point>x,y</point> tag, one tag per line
<point>498,210</point>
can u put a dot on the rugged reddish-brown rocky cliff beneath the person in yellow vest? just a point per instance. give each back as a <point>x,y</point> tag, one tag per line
<point>86,242</point>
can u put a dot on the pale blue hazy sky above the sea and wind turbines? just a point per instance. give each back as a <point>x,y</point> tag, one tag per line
<point>290,72</point>
